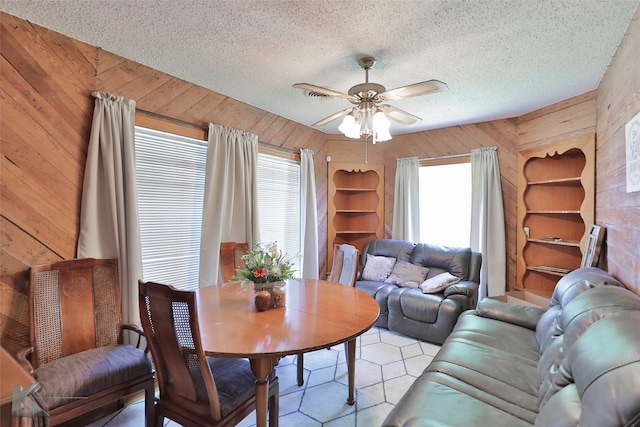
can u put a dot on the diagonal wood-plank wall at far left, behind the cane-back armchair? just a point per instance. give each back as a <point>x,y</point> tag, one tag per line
<point>46,81</point>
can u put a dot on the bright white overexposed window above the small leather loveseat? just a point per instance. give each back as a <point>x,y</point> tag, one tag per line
<point>445,204</point>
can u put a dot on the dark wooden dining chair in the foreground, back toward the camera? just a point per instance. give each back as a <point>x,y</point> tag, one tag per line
<point>195,390</point>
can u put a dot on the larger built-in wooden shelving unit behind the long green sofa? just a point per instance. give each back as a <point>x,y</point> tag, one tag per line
<point>556,202</point>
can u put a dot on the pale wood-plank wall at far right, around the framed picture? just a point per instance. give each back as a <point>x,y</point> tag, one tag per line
<point>619,101</point>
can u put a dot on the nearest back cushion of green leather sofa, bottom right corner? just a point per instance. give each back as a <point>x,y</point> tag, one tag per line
<point>600,376</point>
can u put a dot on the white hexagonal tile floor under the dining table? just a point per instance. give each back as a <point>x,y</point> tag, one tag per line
<point>387,364</point>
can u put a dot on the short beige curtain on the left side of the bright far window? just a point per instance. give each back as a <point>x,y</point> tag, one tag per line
<point>406,203</point>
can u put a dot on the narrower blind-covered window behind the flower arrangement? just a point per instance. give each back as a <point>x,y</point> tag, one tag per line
<point>279,200</point>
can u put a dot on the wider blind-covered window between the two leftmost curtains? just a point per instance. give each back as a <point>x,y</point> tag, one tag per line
<point>170,172</point>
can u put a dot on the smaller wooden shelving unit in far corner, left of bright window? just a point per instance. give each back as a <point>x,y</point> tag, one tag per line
<point>355,204</point>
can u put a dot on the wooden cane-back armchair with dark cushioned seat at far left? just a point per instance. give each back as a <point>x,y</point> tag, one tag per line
<point>76,335</point>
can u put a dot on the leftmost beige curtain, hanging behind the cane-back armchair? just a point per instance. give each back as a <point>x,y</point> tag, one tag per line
<point>109,210</point>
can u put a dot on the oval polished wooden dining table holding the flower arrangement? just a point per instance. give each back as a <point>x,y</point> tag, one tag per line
<point>317,314</point>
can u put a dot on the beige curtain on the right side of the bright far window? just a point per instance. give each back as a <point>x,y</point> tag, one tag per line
<point>487,221</point>
